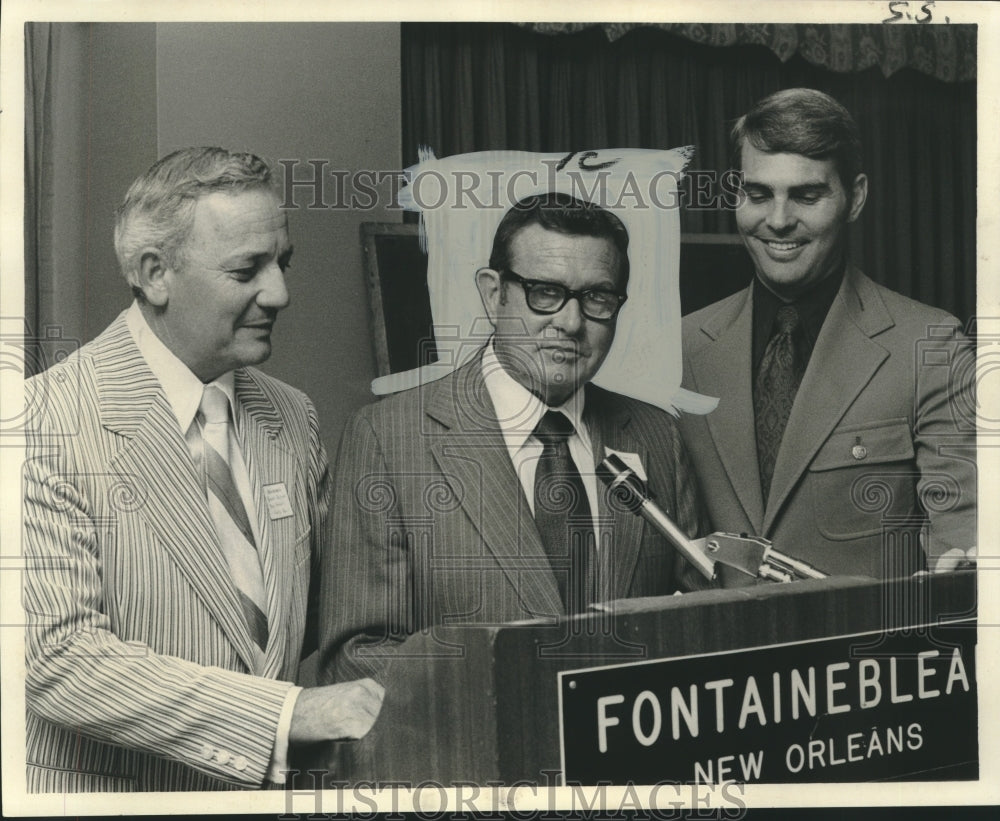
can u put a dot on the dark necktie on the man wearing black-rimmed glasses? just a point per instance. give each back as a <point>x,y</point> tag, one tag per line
<point>562,514</point>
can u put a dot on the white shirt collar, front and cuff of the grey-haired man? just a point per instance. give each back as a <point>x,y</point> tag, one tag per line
<point>183,391</point>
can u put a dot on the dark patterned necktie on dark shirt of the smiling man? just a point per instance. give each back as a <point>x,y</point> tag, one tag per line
<point>774,391</point>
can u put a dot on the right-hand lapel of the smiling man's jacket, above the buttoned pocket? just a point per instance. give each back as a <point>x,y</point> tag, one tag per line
<point>842,363</point>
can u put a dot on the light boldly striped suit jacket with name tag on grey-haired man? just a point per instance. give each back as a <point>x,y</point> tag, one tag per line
<point>138,657</point>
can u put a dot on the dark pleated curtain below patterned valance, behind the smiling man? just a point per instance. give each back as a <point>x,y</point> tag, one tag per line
<point>473,87</point>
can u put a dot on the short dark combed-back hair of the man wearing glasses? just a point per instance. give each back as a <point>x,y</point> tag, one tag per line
<point>562,213</point>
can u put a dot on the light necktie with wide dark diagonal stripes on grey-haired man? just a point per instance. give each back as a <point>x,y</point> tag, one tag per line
<point>230,516</point>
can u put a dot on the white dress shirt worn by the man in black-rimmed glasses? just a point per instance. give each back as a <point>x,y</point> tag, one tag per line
<point>518,412</point>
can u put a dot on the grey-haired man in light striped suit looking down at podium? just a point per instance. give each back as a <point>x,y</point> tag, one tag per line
<point>176,503</point>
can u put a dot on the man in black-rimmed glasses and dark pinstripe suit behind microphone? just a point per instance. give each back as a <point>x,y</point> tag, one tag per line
<point>473,499</point>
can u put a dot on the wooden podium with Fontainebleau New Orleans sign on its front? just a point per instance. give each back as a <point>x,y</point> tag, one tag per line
<point>490,703</point>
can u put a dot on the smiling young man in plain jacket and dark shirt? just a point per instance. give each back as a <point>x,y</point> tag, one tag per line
<point>845,426</point>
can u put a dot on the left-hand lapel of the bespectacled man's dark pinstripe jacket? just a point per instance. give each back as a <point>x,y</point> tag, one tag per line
<point>473,459</point>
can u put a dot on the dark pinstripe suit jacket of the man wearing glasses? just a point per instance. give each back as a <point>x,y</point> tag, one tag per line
<point>432,526</point>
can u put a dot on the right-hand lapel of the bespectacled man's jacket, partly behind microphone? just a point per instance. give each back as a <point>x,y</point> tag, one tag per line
<point>620,529</point>
